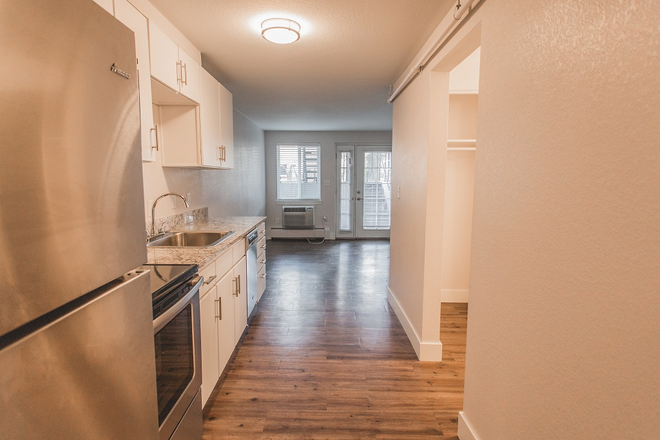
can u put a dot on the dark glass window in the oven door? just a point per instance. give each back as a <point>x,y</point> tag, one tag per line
<point>174,360</point>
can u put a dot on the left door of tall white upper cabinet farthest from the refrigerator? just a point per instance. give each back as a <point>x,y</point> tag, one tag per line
<point>210,119</point>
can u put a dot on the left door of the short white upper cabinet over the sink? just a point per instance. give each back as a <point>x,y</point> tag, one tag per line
<point>164,57</point>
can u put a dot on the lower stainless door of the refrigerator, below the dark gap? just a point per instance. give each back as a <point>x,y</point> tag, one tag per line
<point>90,374</point>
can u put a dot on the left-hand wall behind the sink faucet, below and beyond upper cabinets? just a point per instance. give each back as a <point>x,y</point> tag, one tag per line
<point>239,191</point>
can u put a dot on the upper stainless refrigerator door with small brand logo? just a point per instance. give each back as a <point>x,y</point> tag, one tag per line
<point>71,194</point>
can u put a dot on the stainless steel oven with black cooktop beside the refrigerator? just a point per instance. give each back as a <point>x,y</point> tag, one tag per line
<point>178,351</point>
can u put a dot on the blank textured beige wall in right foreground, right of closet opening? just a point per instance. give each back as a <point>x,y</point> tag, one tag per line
<point>564,326</point>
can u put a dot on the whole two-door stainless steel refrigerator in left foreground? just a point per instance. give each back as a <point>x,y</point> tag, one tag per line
<point>76,334</point>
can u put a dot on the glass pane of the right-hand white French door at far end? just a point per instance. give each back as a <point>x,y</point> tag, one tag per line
<point>377,190</point>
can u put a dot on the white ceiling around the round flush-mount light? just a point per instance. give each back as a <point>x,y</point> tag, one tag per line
<point>336,77</point>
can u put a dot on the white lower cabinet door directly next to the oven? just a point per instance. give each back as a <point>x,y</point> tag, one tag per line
<point>208,307</point>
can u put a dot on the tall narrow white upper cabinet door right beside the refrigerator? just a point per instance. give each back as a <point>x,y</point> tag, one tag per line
<point>135,21</point>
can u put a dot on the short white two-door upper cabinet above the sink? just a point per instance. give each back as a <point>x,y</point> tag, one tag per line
<point>172,66</point>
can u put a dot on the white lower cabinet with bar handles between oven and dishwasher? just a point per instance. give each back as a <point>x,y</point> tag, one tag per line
<point>223,310</point>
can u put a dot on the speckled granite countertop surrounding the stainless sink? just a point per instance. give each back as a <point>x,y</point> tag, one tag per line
<point>204,255</point>
